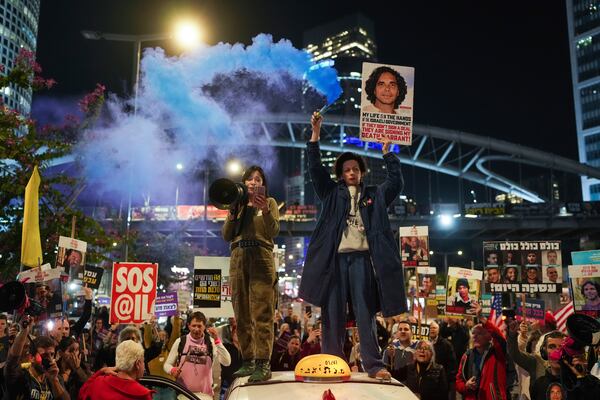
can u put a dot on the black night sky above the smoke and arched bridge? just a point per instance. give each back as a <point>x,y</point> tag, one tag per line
<point>497,69</point>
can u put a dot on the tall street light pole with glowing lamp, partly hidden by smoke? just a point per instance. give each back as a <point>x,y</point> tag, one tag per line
<point>186,34</point>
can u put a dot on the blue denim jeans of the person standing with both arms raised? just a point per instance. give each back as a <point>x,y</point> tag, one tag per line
<point>356,282</point>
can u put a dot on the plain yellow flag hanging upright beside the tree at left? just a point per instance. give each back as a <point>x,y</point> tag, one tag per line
<point>31,244</point>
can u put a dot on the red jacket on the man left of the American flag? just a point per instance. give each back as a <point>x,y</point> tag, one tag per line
<point>492,381</point>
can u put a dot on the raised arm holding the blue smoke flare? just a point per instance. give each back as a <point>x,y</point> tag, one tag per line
<point>319,175</point>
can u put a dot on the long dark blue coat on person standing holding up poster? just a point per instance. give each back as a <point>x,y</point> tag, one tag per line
<point>322,256</point>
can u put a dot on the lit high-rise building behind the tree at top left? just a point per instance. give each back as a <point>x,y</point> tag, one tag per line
<point>18,29</point>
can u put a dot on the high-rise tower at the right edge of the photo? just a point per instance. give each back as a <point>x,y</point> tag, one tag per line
<point>583,18</point>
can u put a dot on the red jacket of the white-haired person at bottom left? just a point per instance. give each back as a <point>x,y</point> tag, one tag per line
<point>101,386</point>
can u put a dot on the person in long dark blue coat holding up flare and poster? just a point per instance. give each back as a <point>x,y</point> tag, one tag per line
<point>353,257</point>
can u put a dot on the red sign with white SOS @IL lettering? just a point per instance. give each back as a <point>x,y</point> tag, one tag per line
<point>133,292</point>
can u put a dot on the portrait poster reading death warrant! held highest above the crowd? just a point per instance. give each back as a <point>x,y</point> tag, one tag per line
<point>386,112</point>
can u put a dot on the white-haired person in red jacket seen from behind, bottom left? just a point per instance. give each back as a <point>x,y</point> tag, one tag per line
<point>123,385</point>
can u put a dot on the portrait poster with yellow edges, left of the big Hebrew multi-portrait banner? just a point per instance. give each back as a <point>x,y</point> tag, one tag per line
<point>462,290</point>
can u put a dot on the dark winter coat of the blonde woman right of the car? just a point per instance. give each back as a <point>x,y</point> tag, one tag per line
<point>431,384</point>
